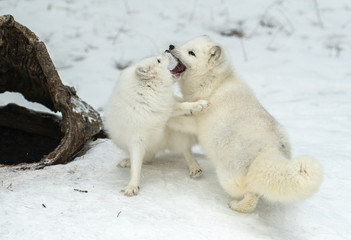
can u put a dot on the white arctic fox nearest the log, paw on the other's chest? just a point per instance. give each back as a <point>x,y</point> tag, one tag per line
<point>137,113</point>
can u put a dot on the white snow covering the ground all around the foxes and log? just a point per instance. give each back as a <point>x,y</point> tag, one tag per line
<point>299,68</point>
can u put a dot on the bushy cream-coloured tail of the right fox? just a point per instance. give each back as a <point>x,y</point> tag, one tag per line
<point>280,179</point>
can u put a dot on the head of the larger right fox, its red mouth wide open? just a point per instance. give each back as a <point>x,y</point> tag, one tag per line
<point>202,63</point>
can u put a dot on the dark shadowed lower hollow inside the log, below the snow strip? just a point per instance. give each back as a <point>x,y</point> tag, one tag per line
<point>27,136</point>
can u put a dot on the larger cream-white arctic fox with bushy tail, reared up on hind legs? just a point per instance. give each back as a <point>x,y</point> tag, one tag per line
<point>249,148</point>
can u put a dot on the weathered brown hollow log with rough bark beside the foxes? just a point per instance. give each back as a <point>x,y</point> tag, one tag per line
<point>26,67</point>
